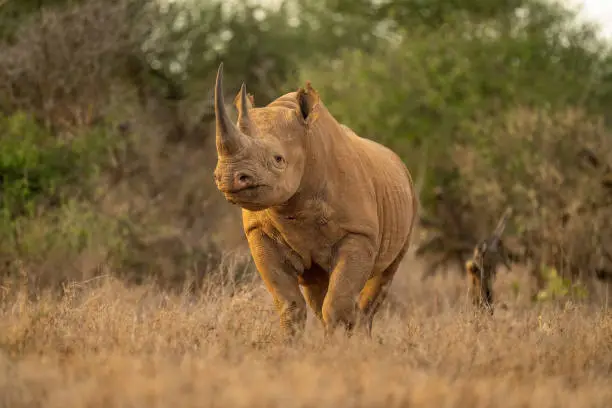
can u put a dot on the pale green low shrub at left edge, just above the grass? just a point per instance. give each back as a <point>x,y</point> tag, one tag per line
<point>73,241</point>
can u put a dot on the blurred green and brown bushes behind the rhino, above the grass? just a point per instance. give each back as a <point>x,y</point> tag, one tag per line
<point>106,150</point>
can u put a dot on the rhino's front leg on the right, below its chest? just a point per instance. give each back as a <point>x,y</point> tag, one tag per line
<point>353,267</point>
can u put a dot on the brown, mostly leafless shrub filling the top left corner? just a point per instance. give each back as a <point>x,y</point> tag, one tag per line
<point>97,39</point>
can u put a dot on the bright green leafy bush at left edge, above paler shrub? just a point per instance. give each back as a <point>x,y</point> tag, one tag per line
<point>38,169</point>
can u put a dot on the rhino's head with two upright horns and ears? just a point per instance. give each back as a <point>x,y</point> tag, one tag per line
<point>261,158</point>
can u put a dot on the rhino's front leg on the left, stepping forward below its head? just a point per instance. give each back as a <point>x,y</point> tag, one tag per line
<point>281,281</point>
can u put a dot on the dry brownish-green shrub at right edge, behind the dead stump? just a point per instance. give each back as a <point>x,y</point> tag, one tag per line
<point>540,163</point>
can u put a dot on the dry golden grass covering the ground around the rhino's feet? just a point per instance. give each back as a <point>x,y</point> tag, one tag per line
<point>108,345</point>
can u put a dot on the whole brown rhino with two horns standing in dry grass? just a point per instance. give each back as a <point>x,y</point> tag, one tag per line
<point>322,208</point>
